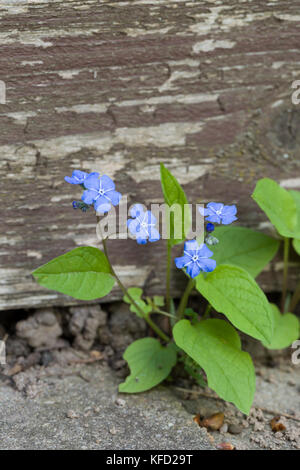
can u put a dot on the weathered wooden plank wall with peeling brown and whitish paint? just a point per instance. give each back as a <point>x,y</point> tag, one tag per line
<point>118,86</point>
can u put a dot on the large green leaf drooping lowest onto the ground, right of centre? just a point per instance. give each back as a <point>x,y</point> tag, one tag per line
<point>216,347</point>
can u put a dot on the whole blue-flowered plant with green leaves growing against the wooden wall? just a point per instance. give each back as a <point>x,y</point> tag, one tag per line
<point>209,348</point>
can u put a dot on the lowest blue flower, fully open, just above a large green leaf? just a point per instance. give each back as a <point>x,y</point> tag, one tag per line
<point>196,259</point>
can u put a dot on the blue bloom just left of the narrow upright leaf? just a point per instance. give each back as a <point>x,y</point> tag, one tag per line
<point>142,225</point>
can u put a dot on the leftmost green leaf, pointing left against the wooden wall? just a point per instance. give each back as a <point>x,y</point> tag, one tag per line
<point>83,273</point>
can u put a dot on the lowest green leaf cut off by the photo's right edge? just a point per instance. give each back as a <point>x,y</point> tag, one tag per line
<point>286,329</point>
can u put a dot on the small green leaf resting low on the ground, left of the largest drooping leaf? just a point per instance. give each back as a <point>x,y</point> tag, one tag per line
<point>149,362</point>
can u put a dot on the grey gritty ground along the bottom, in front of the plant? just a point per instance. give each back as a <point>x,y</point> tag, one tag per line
<point>74,404</point>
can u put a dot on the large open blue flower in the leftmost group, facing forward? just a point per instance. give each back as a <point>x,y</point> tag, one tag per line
<point>100,192</point>
